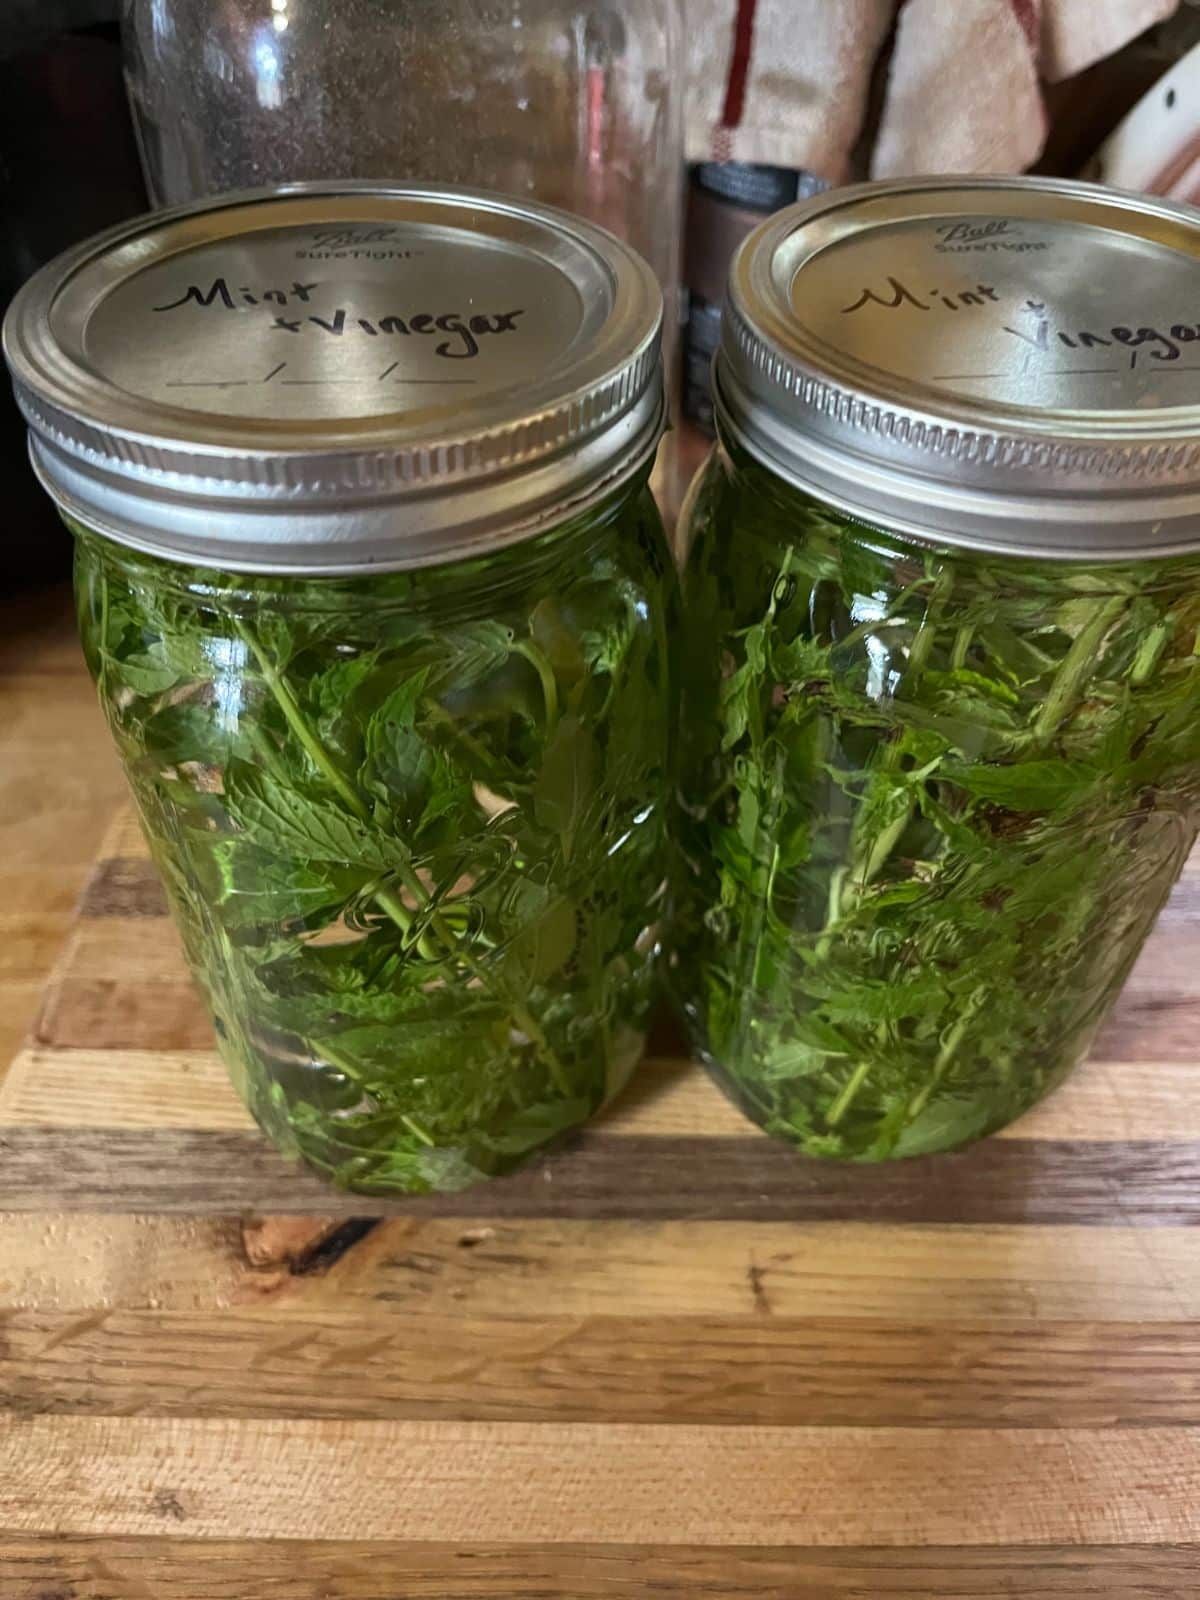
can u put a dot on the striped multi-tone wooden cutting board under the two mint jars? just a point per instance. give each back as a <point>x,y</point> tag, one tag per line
<point>674,1361</point>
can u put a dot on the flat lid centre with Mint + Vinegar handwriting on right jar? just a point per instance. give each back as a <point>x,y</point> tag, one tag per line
<point>1026,313</point>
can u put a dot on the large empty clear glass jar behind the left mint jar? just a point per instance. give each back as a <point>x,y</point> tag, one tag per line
<point>578,105</point>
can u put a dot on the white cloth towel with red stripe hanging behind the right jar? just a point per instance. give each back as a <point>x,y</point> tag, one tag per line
<point>788,82</point>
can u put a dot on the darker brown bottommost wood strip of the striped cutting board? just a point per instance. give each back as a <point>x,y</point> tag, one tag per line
<point>177,1569</point>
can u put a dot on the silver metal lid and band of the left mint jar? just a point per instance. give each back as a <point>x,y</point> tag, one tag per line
<point>335,377</point>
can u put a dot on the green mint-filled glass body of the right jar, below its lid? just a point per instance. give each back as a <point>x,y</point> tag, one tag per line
<point>932,806</point>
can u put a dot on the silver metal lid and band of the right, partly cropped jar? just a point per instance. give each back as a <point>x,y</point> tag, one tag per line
<point>1004,364</point>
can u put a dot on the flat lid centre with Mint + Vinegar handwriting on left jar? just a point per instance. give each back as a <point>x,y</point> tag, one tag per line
<point>337,322</point>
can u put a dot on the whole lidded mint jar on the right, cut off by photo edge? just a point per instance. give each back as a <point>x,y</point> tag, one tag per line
<point>942,702</point>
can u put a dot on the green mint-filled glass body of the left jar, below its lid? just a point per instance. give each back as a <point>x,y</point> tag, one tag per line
<point>412,830</point>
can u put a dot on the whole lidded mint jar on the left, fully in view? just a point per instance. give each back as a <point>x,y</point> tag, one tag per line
<point>378,607</point>
